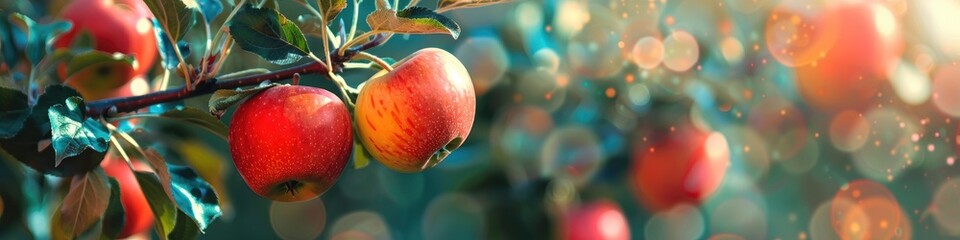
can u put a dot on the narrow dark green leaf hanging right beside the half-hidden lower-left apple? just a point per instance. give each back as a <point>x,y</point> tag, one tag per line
<point>164,211</point>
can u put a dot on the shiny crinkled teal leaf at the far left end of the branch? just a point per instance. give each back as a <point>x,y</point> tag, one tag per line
<point>72,133</point>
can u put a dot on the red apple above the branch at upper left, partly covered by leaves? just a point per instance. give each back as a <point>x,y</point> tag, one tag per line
<point>116,26</point>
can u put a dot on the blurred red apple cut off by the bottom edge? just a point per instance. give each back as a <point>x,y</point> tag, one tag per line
<point>601,220</point>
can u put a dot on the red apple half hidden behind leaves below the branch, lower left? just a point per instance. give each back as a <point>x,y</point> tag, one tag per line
<point>137,211</point>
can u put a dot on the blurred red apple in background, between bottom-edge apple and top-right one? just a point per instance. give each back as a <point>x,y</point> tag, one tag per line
<point>683,166</point>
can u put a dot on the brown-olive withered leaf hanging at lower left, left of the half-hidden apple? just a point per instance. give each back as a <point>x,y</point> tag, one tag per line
<point>86,201</point>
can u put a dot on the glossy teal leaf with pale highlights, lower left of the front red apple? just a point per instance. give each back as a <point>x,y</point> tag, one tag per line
<point>194,196</point>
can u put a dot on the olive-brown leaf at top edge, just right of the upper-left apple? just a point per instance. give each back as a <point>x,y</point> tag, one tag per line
<point>175,16</point>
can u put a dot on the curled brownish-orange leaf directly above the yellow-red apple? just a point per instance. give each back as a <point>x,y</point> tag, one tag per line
<point>413,20</point>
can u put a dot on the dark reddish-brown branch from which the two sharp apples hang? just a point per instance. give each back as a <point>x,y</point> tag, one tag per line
<point>112,106</point>
